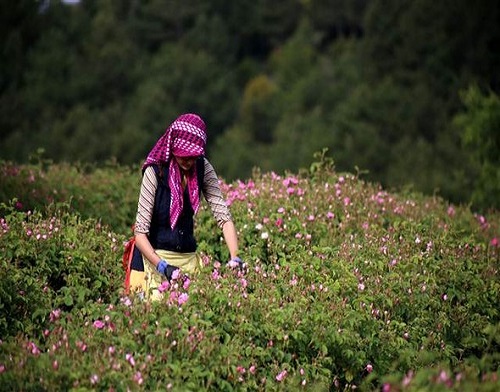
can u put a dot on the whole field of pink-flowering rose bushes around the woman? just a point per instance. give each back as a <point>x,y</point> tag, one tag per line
<point>347,286</point>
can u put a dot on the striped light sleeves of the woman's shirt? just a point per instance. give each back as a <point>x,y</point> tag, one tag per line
<point>211,191</point>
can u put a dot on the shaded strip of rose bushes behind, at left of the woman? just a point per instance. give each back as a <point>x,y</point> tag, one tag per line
<point>108,193</point>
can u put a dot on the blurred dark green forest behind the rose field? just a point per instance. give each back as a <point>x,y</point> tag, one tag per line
<point>404,92</point>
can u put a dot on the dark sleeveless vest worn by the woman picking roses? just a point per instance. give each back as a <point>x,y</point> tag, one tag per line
<point>161,235</point>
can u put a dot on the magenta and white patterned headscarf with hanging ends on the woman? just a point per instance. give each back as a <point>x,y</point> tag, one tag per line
<point>185,137</point>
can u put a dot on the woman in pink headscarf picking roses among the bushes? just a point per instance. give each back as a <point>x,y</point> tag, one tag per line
<point>174,175</point>
